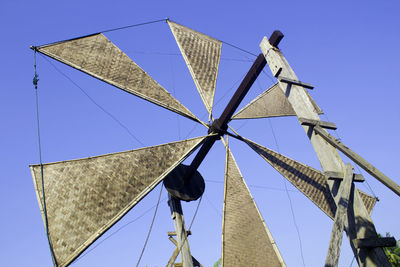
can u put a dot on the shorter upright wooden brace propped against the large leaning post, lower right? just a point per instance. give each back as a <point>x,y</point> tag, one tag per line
<point>332,258</point>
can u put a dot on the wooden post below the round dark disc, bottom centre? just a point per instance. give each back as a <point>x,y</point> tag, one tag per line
<point>181,234</point>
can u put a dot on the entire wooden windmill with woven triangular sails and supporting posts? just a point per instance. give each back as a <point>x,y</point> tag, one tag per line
<point>85,197</point>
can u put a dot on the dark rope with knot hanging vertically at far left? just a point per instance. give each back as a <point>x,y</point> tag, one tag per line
<point>35,83</point>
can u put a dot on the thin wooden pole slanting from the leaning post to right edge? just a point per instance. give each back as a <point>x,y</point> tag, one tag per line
<point>359,160</point>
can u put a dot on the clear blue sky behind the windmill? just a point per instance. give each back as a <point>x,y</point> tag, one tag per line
<point>347,49</point>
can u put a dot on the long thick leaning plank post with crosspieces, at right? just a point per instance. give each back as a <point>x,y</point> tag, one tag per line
<point>328,156</point>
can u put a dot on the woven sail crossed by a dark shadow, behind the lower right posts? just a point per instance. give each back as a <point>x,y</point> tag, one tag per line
<point>312,183</point>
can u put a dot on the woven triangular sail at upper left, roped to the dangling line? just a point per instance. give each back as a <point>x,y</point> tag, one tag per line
<point>100,58</point>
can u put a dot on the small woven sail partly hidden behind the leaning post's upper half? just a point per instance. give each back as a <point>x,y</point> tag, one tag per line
<point>271,103</point>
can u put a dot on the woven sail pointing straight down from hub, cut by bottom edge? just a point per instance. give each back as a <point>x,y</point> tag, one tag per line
<point>246,240</point>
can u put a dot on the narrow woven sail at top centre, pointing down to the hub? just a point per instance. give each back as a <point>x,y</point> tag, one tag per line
<point>202,55</point>
